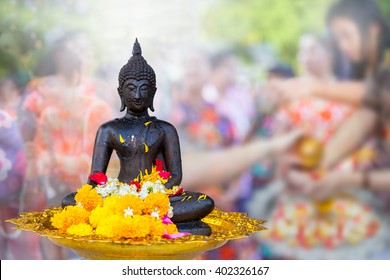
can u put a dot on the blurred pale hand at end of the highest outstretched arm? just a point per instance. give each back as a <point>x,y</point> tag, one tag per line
<point>297,88</point>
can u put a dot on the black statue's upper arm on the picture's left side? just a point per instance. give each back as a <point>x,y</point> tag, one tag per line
<point>101,151</point>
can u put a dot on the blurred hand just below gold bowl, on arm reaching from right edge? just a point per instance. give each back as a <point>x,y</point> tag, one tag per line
<point>299,182</point>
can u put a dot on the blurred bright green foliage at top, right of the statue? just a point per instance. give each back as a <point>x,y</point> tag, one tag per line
<point>278,22</point>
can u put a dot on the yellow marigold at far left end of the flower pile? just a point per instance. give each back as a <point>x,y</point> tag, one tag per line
<point>71,215</point>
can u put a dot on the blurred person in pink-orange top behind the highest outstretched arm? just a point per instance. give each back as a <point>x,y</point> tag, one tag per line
<point>322,116</point>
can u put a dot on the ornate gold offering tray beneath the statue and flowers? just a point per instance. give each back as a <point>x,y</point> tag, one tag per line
<point>225,226</point>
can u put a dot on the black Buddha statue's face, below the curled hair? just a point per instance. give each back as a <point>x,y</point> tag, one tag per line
<point>137,95</point>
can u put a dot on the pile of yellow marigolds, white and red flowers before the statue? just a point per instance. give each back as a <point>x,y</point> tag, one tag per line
<point>118,210</point>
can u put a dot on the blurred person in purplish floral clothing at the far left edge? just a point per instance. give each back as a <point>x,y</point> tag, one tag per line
<point>15,180</point>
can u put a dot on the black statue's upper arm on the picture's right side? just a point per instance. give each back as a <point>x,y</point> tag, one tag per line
<point>172,155</point>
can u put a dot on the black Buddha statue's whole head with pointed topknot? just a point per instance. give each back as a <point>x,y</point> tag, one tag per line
<point>137,83</point>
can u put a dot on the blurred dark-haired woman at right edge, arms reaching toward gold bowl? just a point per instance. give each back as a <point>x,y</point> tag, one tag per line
<point>363,35</point>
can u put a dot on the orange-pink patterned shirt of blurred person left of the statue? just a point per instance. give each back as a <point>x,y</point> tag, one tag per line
<point>67,120</point>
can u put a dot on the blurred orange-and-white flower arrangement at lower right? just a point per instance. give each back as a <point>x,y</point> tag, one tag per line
<point>338,221</point>
